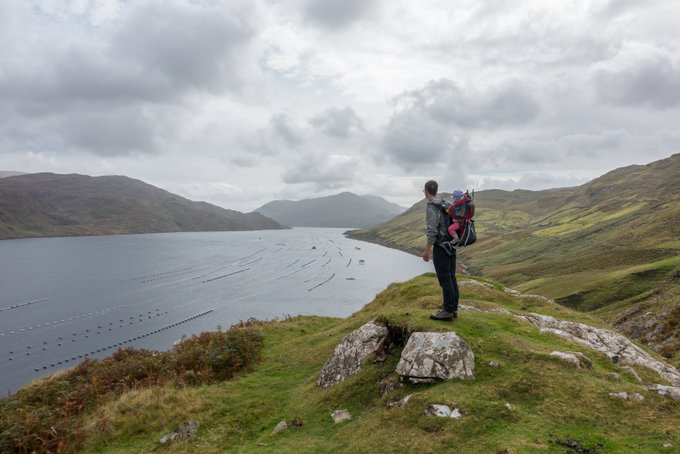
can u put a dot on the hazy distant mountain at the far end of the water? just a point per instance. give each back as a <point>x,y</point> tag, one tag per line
<point>341,210</point>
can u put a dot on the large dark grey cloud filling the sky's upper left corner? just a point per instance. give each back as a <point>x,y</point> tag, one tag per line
<point>159,53</point>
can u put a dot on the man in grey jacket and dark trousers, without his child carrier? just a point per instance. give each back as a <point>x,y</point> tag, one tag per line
<point>444,258</point>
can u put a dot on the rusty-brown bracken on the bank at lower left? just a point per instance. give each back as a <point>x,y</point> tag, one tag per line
<point>46,415</point>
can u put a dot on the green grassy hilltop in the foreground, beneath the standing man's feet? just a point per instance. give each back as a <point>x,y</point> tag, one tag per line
<point>531,403</point>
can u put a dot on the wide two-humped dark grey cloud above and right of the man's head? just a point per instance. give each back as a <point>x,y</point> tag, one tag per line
<point>447,103</point>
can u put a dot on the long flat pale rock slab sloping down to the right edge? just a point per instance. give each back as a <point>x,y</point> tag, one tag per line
<point>614,345</point>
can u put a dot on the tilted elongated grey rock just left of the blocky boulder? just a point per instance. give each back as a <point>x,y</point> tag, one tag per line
<point>351,353</point>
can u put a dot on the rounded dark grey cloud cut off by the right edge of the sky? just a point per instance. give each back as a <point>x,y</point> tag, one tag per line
<point>639,75</point>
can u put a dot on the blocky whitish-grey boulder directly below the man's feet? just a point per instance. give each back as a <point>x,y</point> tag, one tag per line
<point>428,357</point>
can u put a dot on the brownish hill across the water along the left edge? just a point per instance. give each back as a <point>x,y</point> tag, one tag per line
<point>47,204</point>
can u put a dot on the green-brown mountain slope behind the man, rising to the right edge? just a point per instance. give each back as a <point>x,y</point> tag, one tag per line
<point>588,246</point>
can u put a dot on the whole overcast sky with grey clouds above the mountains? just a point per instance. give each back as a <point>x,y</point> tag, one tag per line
<point>242,102</point>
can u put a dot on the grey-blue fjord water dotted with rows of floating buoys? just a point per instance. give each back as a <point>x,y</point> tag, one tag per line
<point>65,299</point>
